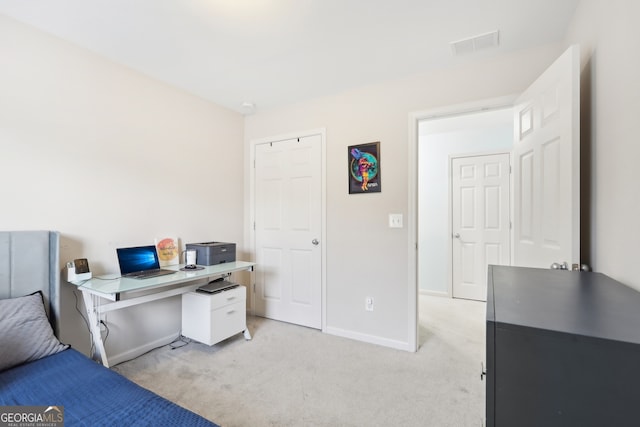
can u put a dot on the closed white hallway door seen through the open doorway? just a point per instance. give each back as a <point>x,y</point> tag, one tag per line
<point>480,221</point>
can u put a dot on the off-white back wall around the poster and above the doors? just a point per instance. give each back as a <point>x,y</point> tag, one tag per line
<point>364,256</point>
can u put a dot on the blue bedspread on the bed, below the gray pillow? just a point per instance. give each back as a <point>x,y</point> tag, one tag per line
<point>91,394</point>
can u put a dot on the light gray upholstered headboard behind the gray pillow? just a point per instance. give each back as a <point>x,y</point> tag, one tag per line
<point>29,262</point>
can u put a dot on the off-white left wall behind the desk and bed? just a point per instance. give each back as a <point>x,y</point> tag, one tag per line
<point>111,158</point>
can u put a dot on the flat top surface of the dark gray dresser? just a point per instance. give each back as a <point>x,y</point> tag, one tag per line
<point>587,304</point>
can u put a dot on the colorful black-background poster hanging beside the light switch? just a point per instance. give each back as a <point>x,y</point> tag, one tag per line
<point>364,168</point>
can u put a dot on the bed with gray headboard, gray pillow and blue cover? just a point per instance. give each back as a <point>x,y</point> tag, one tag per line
<point>37,370</point>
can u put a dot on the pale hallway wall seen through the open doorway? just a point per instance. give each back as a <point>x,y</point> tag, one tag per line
<point>438,139</point>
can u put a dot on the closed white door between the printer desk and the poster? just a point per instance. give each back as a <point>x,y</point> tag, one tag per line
<point>288,220</point>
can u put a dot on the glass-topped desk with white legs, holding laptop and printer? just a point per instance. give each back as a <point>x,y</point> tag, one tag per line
<point>125,292</point>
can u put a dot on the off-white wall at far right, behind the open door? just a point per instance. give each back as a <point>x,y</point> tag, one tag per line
<point>608,33</point>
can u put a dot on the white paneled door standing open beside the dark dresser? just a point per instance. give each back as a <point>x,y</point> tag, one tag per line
<point>546,167</point>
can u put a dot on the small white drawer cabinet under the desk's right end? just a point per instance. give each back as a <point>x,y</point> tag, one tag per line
<point>211,318</point>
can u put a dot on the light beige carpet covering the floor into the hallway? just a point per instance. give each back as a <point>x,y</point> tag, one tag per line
<point>294,376</point>
